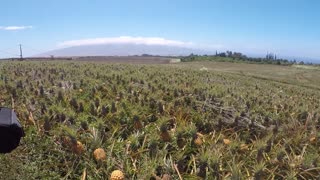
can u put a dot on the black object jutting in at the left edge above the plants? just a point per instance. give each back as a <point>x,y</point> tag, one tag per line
<point>10,130</point>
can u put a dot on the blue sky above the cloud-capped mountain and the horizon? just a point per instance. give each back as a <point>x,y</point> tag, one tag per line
<point>285,27</point>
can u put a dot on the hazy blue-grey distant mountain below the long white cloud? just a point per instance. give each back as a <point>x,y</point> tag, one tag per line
<point>124,50</point>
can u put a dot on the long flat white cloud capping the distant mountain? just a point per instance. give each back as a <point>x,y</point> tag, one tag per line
<point>126,40</point>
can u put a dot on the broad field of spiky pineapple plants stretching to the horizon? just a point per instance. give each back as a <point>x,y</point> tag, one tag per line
<point>89,120</point>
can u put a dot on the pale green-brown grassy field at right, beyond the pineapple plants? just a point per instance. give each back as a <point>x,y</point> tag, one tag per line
<point>302,75</point>
